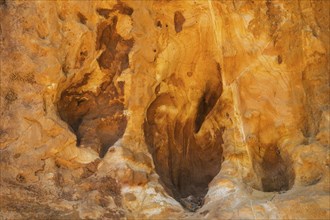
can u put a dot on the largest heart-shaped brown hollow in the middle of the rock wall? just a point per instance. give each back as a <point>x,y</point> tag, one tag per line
<point>186,158</point>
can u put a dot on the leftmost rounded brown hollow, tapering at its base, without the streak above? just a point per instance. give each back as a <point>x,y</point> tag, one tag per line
<point>97,119</point>
